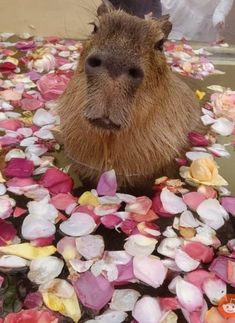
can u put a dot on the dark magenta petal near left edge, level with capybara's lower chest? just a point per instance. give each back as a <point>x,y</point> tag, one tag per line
<point>19,167</point>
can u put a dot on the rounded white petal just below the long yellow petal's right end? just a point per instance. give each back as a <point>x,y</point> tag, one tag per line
<point>44,269</point>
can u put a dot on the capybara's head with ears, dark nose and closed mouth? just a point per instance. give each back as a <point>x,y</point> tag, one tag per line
<point>120,61</point>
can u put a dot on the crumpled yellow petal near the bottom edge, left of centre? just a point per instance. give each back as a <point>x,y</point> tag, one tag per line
<point>66,306</point>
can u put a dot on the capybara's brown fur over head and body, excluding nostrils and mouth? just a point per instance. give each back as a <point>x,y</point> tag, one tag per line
<point>155,116</point>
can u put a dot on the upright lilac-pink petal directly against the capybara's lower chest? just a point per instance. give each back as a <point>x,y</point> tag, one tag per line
<point>107,184</point>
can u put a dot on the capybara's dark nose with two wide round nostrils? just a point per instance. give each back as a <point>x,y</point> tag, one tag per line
<point>100,62</point>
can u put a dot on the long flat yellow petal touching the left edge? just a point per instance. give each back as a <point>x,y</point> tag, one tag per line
<point>27,251</point>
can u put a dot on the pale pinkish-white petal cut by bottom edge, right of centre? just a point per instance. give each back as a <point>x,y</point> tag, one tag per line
<point>147,310</point>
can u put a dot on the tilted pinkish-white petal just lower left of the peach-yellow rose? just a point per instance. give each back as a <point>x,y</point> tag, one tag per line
<point>172,203</point>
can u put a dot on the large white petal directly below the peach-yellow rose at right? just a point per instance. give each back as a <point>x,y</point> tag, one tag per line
<point>212,213</point>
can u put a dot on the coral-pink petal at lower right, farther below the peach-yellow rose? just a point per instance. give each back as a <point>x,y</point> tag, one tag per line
<point>199,251</point>
